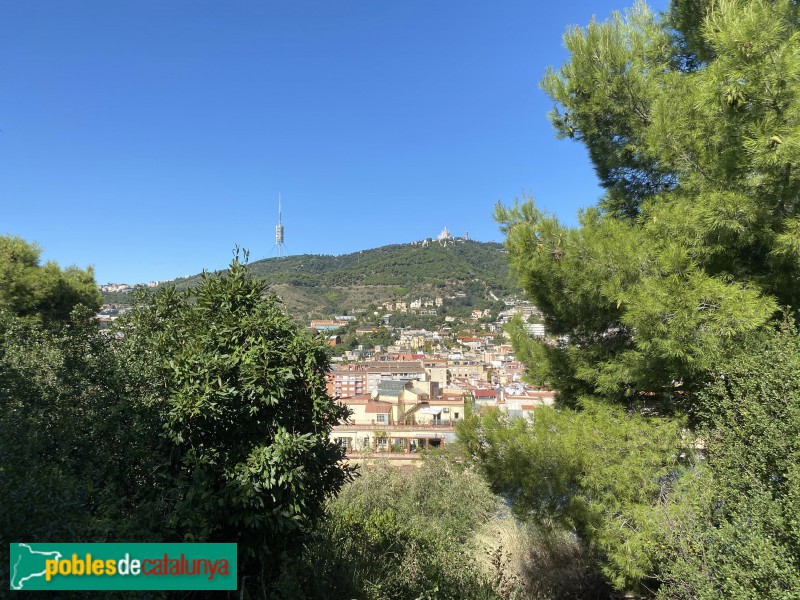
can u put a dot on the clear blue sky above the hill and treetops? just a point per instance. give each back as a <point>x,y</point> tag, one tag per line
<point>148,137</point>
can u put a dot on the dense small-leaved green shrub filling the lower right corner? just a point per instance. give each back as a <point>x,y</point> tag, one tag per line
<point>733,530</point>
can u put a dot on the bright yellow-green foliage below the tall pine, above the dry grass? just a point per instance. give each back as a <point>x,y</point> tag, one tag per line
<point>598,471</point>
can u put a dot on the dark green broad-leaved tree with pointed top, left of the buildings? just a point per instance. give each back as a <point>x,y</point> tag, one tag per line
<point>241,392</point>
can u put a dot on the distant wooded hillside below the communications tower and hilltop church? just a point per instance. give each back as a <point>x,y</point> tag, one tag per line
<point>318,285</point>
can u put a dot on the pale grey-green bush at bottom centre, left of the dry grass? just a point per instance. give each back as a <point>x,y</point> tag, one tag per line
<point>394,534</point>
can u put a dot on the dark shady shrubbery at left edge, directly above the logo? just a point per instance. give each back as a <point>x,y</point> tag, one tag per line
<point>76,445</point>
